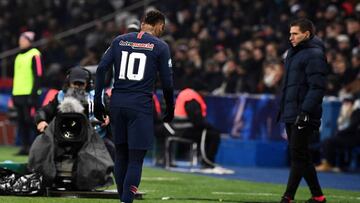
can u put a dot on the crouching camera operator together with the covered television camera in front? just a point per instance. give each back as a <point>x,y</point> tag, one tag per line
<point>70,147</point>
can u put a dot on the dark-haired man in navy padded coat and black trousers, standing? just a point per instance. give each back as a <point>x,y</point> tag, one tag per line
<point>300,109</point>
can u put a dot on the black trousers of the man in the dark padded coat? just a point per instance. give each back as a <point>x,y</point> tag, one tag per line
<point>301,162</point>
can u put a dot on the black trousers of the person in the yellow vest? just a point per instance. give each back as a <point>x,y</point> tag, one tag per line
<point>25,123</point>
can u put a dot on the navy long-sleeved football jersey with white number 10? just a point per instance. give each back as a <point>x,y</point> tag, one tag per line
<point>136,59</point>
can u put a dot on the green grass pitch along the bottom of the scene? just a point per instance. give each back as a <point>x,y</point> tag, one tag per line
<point>164,186</point>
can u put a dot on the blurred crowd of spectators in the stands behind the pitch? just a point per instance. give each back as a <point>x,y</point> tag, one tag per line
<point>221,46</point>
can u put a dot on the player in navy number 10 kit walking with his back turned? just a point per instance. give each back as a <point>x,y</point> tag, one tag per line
<point>136,58</point>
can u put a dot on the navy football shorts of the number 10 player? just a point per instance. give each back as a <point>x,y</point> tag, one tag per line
<point>132,127</point>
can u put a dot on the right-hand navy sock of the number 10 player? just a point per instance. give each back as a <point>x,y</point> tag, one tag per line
<point>133,175</point>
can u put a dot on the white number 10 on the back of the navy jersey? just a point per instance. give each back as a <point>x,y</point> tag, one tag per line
<point>128,63</point>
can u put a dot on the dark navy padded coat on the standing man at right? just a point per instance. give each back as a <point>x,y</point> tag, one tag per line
<point>304,82</point>
